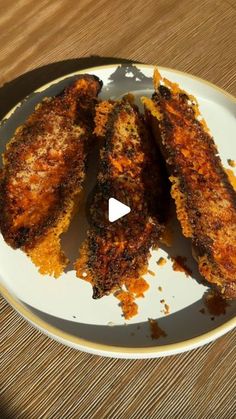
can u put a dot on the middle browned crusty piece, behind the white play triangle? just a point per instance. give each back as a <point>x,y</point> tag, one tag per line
<point>117,253</point>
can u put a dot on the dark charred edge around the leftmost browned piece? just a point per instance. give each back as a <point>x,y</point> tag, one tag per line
<point>25,238</point>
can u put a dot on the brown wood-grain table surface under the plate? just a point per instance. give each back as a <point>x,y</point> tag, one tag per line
<point>41,40</point>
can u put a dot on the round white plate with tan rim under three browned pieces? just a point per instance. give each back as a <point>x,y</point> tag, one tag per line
<point>64,308</point>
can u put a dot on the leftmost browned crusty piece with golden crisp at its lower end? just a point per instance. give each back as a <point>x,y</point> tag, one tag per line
<point>43,172</point>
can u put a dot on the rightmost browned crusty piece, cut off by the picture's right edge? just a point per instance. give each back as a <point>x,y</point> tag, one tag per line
<point>205,199</point>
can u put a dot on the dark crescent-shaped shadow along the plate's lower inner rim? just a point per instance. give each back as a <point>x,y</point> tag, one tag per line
<point>179,326</point>
